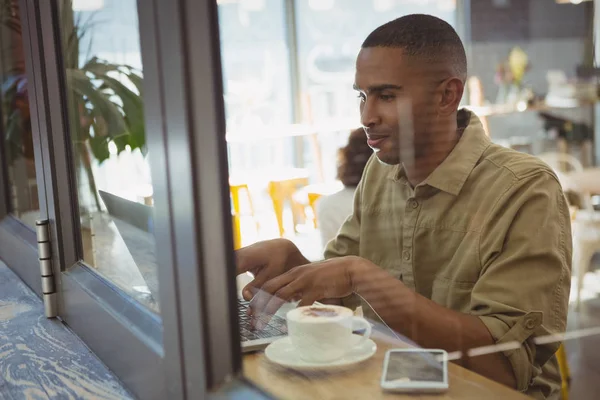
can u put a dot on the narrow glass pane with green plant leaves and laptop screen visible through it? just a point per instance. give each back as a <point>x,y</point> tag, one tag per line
<point>104,73</point>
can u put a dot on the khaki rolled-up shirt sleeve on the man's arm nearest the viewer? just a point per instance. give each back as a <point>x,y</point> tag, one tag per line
<point>523,290</point>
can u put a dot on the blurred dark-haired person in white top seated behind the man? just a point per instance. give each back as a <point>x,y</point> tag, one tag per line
<point>334,209</point>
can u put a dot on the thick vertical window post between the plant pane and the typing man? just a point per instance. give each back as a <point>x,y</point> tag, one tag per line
<point>193,107</point>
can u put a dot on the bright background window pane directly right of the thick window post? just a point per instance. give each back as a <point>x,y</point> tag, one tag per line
<point>255,58</point>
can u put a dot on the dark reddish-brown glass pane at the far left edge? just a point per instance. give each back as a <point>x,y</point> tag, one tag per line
<point>16,122</point>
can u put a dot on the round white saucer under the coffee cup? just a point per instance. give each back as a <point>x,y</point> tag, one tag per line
<point>281,352</point>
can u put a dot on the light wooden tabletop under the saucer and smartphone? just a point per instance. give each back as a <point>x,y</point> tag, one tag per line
<point>362,381</point>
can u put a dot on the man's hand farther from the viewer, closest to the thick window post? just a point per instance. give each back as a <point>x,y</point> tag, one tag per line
<point>267,260</point>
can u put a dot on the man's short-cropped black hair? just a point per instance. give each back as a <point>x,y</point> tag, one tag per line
<point>425,36</point>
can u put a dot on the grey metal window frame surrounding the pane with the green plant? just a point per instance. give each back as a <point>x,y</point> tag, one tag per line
<point>168,356</point>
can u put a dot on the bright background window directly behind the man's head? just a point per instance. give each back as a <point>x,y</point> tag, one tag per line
<point>329,36</point>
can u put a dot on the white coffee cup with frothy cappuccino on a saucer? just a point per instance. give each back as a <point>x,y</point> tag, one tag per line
<point>323,333</point>
